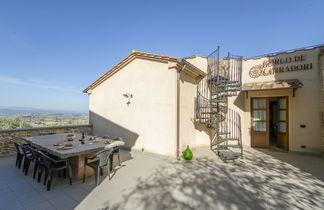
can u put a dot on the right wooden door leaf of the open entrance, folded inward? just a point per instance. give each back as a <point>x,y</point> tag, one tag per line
<point>283,122</point>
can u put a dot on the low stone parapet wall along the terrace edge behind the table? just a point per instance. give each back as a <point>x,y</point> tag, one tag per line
<point>7,136</point>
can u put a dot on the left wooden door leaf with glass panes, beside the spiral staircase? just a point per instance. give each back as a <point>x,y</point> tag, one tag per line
<point>260,122</point>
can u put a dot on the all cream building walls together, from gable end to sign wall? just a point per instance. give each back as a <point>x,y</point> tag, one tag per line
<point>149,122</point>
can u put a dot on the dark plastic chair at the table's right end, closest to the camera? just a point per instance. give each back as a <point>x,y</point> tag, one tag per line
<point>102,160</point>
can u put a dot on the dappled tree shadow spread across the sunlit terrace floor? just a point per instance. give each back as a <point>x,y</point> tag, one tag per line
<point>259,181</point>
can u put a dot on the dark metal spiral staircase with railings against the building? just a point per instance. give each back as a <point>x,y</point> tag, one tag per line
<point>223,80</point>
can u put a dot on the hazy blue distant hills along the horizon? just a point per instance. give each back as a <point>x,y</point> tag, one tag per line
<point>5,110</point>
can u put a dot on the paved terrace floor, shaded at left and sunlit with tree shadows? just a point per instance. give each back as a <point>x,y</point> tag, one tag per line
<point>264,179</point>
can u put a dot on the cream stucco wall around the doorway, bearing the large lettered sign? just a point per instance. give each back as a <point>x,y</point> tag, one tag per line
<point>305,107</point>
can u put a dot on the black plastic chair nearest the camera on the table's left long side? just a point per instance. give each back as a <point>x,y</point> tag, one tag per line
<point>52,165</point>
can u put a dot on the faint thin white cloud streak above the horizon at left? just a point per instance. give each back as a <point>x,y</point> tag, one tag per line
<point>36,84</point>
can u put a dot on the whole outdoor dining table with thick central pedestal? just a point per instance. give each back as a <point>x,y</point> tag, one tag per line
<point>78,151</point>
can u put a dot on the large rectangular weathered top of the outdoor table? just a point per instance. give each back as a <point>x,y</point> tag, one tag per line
<point>46,143</point>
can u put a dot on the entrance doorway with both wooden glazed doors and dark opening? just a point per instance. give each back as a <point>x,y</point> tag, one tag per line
<point>269,120</point>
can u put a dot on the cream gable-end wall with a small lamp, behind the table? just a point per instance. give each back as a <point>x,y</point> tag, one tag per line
<point>149,121</point>
